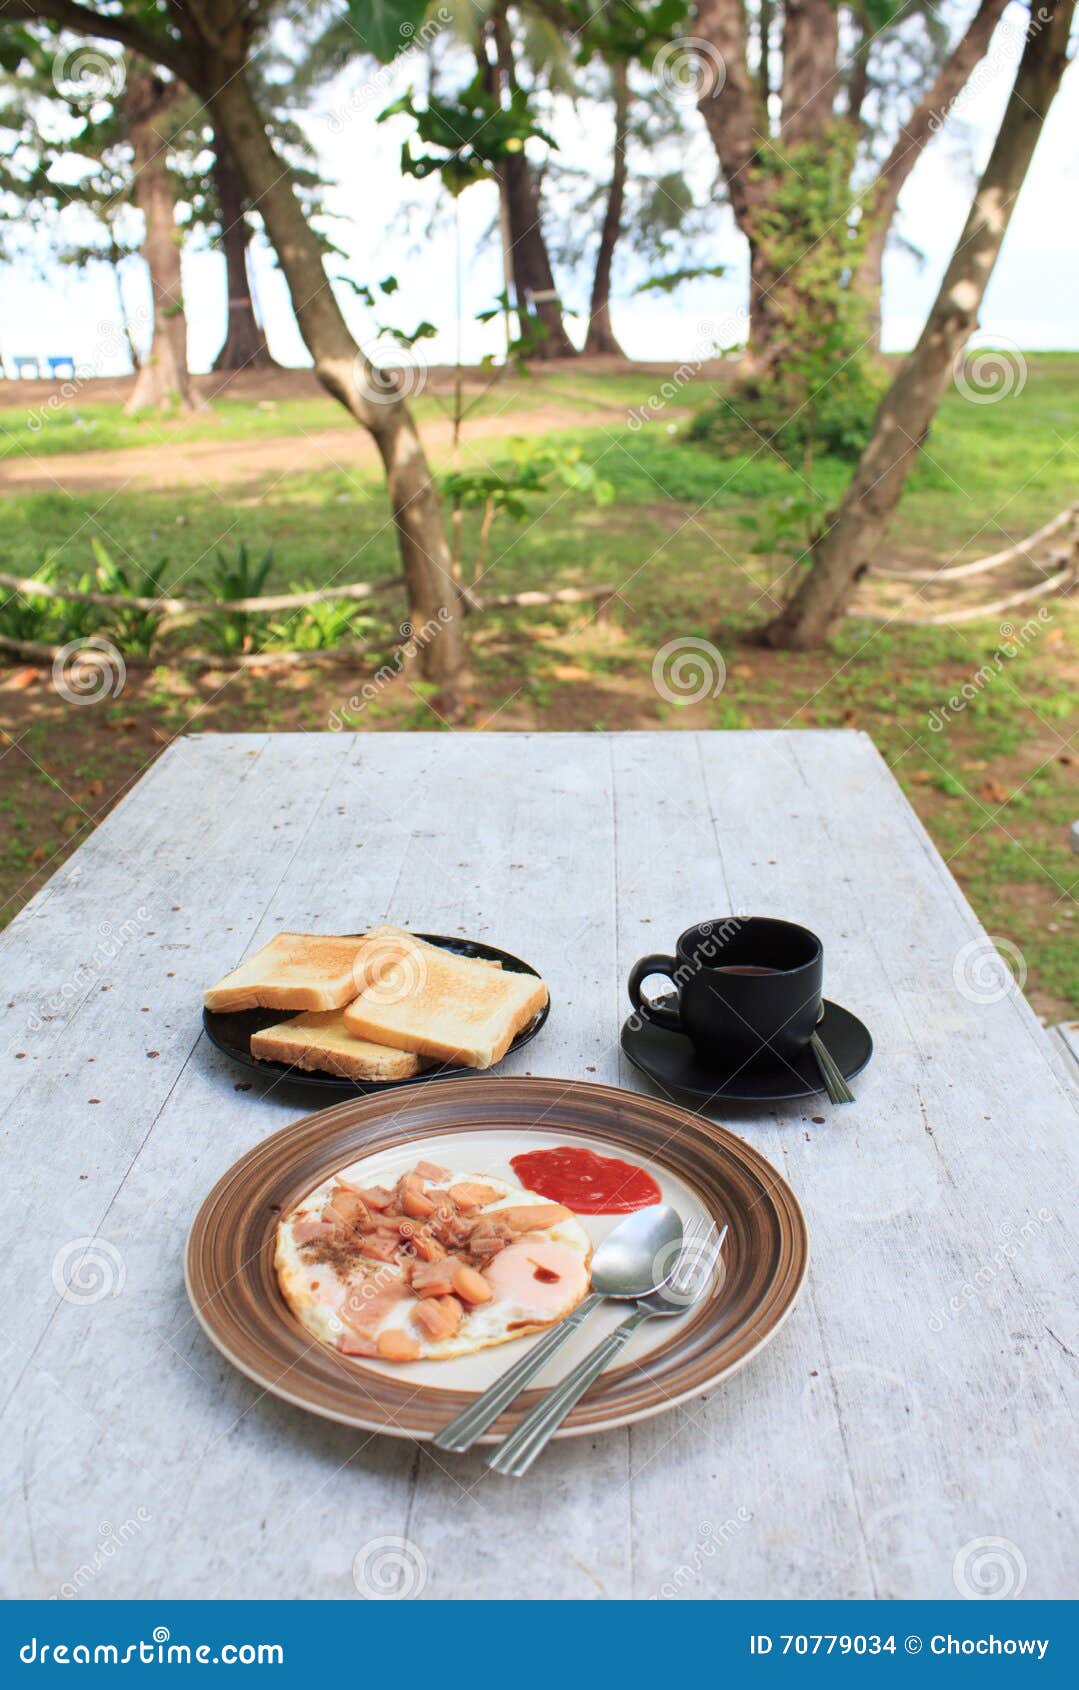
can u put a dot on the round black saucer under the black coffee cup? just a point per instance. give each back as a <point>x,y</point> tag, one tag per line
<point>671,1060</point>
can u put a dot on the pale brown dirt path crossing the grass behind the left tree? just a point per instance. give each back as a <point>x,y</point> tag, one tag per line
<point>226,462</point>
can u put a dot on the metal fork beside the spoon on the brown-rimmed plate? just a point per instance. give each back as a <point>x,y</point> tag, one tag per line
<point>677,1295</point>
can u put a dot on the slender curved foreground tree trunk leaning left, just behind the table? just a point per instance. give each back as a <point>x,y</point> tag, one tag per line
<point>348,374</point>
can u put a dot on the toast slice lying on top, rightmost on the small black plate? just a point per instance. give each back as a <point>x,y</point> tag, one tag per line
<point>420,998</point>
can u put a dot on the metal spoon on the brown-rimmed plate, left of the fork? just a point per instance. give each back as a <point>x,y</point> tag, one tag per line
<point>632,1262</point>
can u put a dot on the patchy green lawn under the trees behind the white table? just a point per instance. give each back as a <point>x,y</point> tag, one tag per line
<point>995,785</point>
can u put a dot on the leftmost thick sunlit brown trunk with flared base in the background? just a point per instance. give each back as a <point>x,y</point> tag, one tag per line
<point>163,378</point>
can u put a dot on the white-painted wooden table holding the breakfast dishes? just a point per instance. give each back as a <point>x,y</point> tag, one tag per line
<point>917,1402</point>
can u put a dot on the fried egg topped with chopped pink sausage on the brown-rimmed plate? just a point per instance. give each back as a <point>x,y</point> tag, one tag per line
<point>407,1270</point>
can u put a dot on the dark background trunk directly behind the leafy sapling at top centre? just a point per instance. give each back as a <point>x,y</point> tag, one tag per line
<point>535,293</point>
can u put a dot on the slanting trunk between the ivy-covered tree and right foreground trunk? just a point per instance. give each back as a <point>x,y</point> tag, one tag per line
<point>923,124</point>
